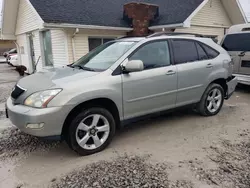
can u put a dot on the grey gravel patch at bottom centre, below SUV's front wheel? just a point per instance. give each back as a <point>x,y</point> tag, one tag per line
<point>126,171</point>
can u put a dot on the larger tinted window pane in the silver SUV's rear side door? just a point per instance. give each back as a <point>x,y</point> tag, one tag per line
<point>184,51</point>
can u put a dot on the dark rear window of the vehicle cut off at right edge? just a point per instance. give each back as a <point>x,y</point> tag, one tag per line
<point>237,42</point>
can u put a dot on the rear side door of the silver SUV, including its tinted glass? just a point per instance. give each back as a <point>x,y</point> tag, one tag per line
<point>194,66</point>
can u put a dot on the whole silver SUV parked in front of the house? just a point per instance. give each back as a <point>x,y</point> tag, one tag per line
<point>85,102</point>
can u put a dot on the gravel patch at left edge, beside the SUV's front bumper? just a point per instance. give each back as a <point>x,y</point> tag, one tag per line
<point>13,143</point>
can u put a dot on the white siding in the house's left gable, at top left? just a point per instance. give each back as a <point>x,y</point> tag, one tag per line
<point>27,18</point>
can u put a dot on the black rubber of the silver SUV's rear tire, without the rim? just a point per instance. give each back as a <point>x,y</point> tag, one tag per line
<point>202,106</point>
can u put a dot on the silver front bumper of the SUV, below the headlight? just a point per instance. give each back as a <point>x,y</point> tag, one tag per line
<point>53,119</point>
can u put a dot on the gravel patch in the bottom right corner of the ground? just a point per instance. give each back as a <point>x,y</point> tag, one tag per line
<point>232,161</point>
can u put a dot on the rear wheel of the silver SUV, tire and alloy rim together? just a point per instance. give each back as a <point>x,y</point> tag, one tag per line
<point>212,100</point>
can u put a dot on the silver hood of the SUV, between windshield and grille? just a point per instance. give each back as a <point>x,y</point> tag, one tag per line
<point>53,78</point>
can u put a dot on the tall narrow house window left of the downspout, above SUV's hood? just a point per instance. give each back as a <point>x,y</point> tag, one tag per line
<point>47,48</point>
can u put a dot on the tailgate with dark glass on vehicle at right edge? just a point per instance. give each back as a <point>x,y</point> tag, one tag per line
<point>238,46</point>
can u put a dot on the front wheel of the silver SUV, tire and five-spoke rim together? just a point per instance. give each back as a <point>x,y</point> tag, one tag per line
<point>91,131</point>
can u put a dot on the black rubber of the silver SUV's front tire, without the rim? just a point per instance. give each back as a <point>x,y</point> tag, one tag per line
<point>71,137</point>
